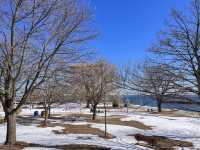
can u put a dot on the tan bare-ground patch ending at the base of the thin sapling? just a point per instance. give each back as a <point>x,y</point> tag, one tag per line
<point>83,129</point>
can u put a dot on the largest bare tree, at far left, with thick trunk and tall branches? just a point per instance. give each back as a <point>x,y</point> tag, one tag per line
<point>33,33</point>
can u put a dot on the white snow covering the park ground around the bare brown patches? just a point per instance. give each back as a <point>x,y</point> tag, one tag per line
<point>180,128</point>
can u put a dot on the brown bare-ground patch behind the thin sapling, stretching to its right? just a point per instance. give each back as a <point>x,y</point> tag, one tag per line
<point>117,121</point>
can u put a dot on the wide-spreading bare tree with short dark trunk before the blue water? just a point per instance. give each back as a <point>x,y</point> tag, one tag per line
<point>152,80</point>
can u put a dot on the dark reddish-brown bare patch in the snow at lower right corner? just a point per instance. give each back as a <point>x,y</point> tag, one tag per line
<point>160,142</point>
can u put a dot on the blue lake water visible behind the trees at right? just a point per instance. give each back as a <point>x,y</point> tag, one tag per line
<point>149,101</point>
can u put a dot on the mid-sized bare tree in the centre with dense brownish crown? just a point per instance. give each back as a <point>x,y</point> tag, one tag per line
<point>96,80</point>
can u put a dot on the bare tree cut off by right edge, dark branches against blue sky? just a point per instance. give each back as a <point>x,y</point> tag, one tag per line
<point>179,45</point>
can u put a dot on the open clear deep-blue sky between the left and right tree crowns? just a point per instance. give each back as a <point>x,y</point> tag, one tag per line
<point>128,27</point>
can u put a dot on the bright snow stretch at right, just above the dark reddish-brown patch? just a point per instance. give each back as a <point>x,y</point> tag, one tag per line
<point>180,128</point>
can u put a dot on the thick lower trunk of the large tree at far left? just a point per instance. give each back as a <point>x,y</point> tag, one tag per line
<point>11,129</point>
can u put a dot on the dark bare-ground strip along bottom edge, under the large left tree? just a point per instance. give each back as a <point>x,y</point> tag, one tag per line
<point>21,145</point>
